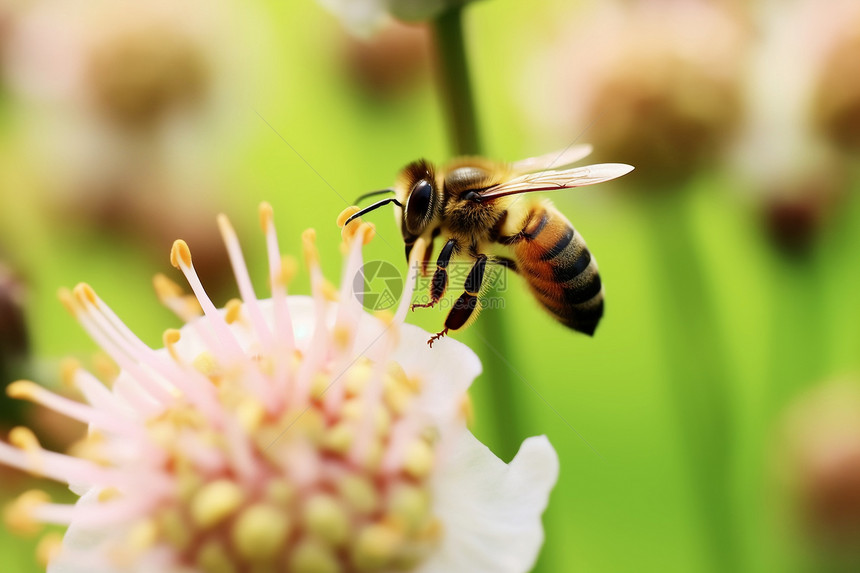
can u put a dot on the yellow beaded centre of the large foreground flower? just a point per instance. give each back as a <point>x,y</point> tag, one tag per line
<point>338,484</point>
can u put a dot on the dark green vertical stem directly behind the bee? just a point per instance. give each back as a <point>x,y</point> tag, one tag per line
<point>456,92</point>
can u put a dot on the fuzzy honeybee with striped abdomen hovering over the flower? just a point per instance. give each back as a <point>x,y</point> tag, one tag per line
<point>472,205</point>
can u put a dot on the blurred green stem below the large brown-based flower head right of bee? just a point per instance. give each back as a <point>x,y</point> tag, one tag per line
<point>697,373</point>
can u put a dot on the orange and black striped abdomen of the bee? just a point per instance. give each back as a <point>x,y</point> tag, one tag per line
<point>559,268</point>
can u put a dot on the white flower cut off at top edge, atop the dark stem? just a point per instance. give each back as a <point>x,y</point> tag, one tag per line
<point>363,17</point>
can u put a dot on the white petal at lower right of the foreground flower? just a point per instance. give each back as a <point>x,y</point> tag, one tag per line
<point>491,511</point>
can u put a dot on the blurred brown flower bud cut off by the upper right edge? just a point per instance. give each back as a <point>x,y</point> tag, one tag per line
<point>836,103</point>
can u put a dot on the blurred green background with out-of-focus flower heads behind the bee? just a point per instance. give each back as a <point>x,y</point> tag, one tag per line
<point>731,290</point>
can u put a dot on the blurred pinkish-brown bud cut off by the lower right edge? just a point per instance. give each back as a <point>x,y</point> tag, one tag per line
<point>823,436</point>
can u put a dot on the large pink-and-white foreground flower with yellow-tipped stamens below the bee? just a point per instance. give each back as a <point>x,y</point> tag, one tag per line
<point>294,433</point>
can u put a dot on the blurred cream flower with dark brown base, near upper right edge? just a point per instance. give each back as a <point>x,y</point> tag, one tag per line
<point>797,174</point>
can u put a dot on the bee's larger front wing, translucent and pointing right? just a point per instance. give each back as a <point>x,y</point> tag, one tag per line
<point>552,180</point>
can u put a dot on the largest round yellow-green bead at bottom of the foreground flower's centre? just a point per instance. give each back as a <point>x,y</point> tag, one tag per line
<point>260,532</point>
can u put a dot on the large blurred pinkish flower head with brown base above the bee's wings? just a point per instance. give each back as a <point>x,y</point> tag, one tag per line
<point>655,85</point>
